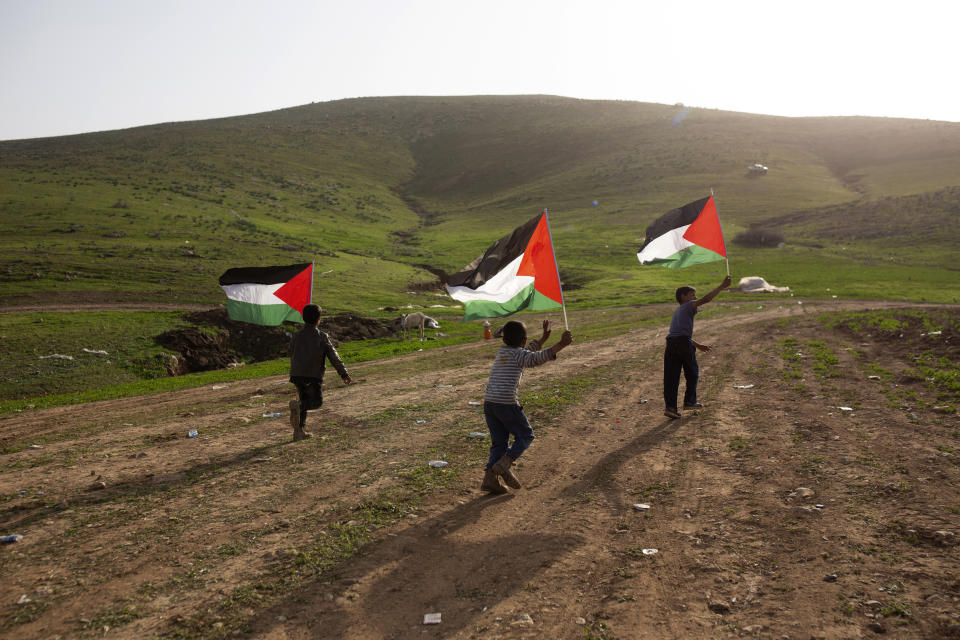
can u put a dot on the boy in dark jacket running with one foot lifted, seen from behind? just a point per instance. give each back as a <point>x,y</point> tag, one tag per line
<point>310,348</point>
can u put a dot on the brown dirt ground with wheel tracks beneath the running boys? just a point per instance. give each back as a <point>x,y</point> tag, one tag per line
<point>241,533</point>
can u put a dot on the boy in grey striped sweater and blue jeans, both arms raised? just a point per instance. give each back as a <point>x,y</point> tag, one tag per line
<point>502,409</point>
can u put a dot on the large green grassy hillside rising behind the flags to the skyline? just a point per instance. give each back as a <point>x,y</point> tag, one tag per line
<point>374,189</point>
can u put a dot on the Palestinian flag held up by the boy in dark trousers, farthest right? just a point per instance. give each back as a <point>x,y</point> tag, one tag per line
<point>685,236</point>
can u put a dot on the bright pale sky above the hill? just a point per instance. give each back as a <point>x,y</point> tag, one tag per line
<point>72,66</point>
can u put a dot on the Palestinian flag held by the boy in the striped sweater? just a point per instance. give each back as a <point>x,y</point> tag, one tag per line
<point>518,272</point>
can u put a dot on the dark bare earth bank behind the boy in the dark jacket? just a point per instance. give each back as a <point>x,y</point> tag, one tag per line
<point>217,341</point>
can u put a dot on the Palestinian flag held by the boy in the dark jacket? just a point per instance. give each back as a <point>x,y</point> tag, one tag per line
<point>268,295</point>
